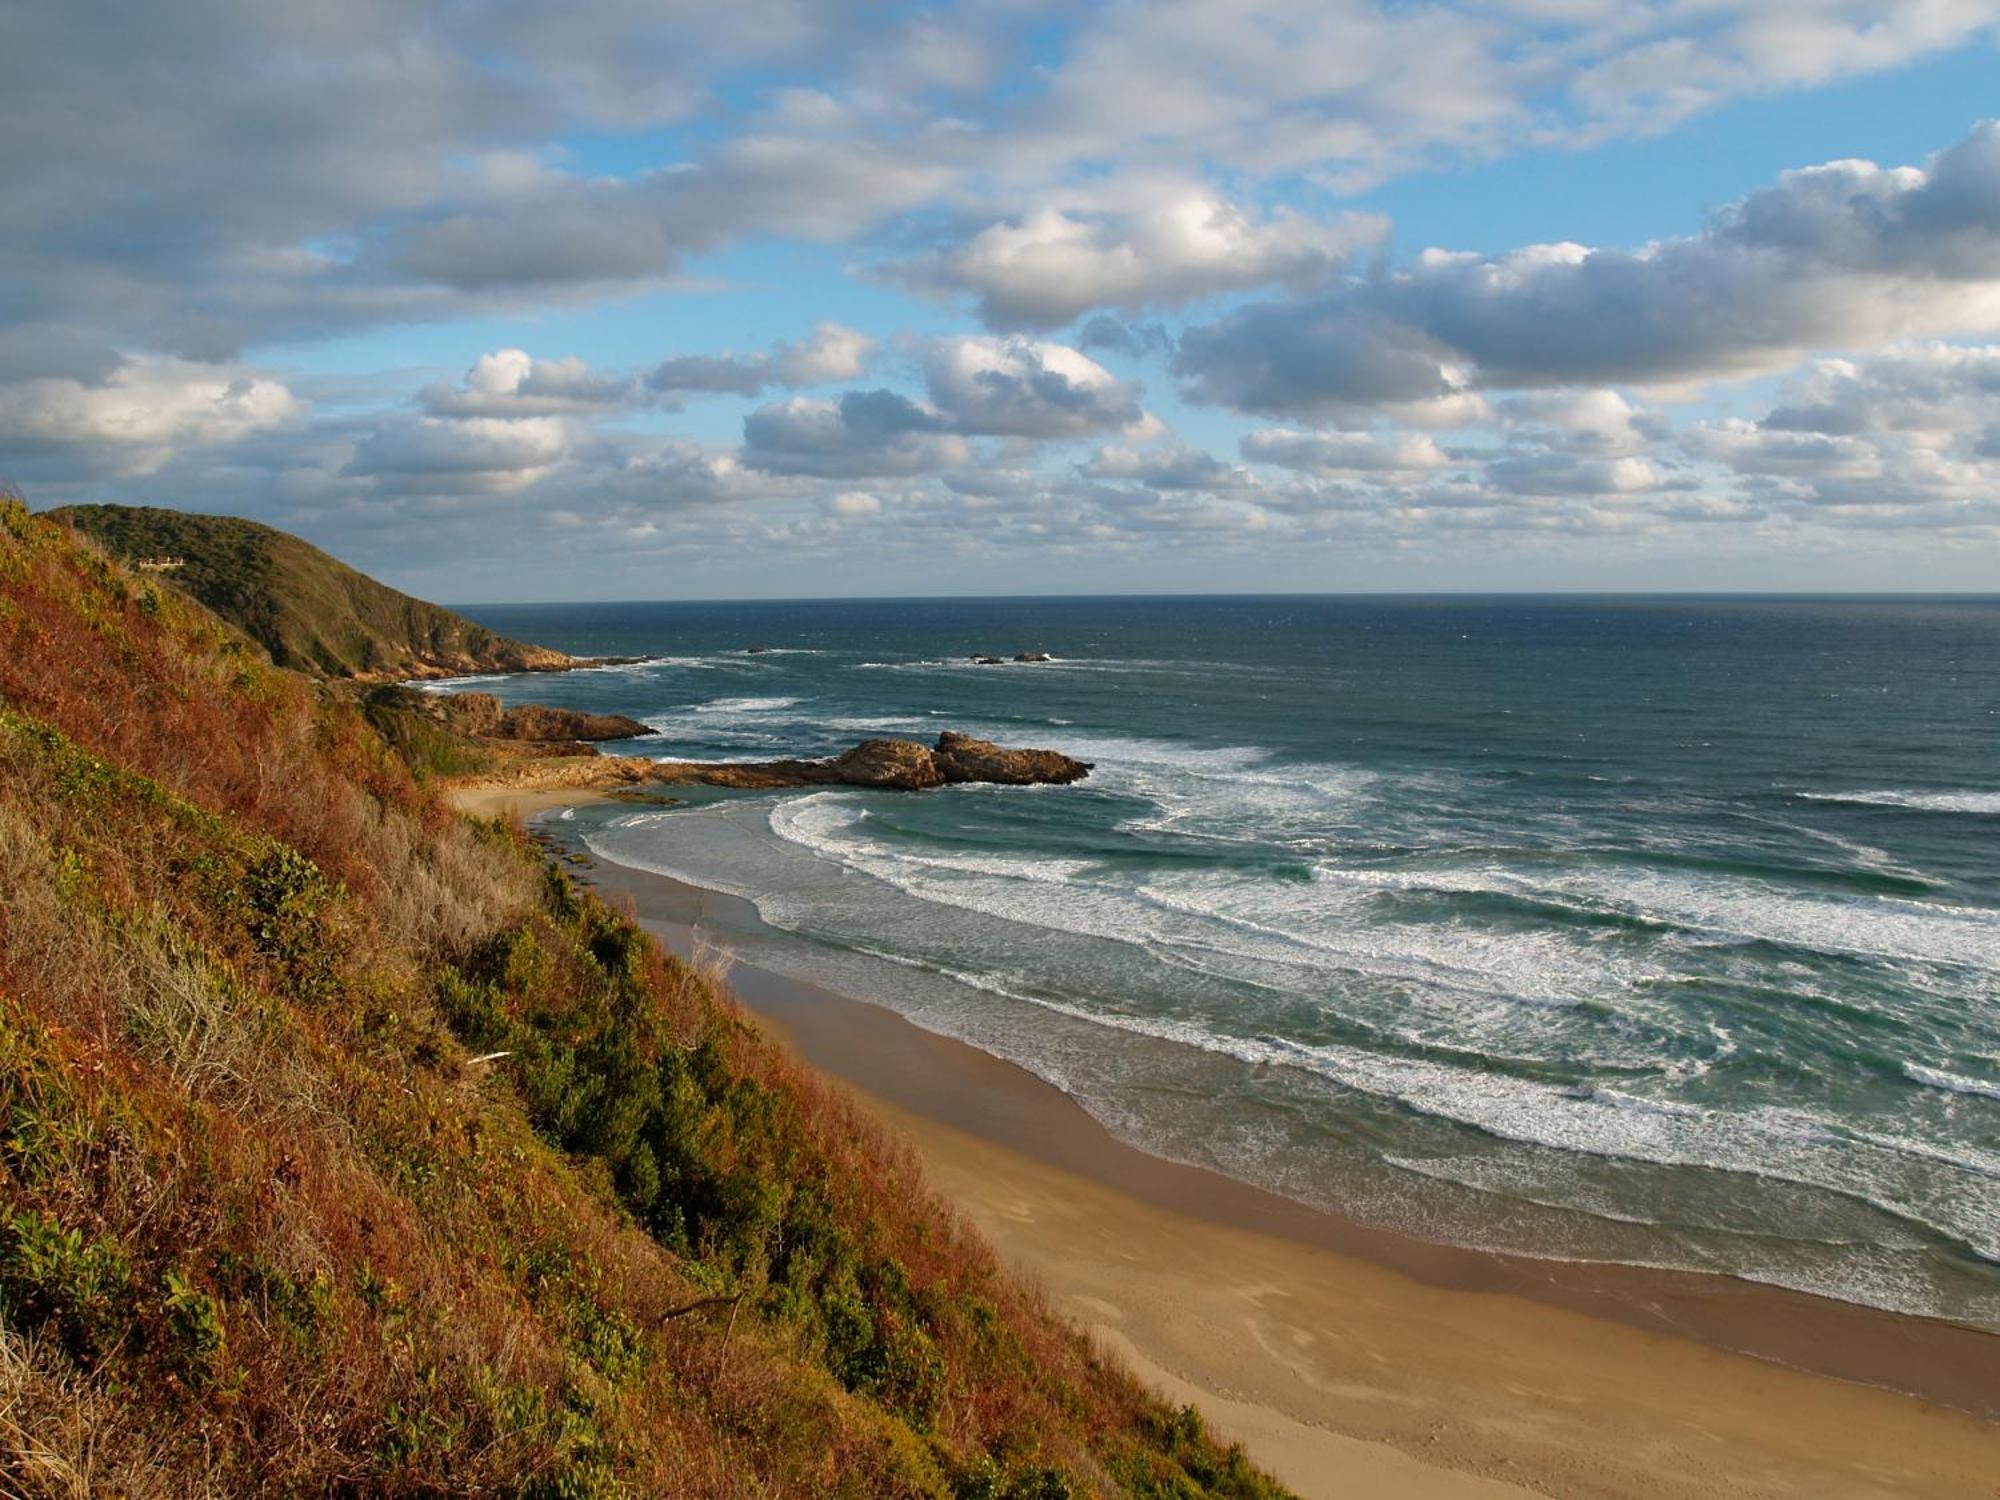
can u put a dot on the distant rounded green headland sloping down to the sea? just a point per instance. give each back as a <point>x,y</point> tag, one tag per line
<point>307,609</point>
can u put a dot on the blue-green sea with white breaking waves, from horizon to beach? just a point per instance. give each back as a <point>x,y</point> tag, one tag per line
<point>1661,931</point>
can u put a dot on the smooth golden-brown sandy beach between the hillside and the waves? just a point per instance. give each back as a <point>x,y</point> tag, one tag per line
<point>1367,1365</point>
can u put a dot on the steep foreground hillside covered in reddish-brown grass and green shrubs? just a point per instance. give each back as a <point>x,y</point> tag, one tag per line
<point>345,1147</point>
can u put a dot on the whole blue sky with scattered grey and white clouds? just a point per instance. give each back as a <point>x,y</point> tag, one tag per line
<point>647,299</point>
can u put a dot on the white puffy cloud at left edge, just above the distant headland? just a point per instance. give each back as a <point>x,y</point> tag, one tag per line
<point>137,417</point>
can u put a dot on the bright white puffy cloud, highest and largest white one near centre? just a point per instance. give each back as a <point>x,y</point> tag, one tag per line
<point>1051,267</point>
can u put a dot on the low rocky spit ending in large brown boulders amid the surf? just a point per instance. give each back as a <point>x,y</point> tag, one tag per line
<point>893,765</point>
